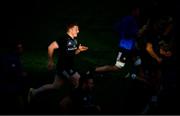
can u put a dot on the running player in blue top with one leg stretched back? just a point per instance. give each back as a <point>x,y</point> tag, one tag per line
<point>127,29</point>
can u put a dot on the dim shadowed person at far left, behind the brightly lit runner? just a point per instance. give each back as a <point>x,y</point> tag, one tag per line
<point>13,81</point>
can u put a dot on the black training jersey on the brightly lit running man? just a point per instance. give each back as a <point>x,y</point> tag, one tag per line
<point>66,52</point>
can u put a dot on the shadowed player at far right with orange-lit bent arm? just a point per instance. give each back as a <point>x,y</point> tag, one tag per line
<point>157,57</point>
